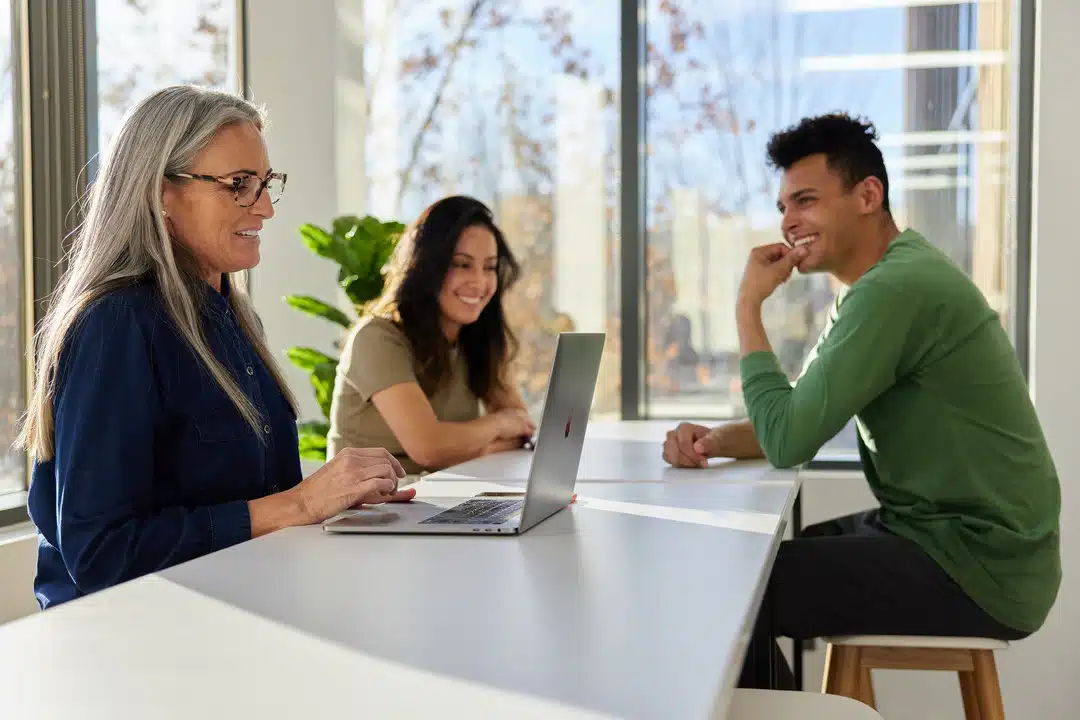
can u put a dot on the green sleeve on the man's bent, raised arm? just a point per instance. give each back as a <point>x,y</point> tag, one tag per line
<point>858,359</point>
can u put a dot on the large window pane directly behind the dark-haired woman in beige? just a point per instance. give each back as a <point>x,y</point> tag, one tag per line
<point>515,103</point>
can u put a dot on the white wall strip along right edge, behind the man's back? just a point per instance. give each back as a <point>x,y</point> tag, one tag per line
<point>1037,676</point>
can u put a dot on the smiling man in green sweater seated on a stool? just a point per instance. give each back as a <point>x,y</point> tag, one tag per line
<point>966,540</point>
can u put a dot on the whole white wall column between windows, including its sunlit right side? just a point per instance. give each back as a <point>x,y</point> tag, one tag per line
<point>303,66</point>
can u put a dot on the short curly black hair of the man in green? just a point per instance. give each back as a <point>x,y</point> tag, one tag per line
<point>847,143</point>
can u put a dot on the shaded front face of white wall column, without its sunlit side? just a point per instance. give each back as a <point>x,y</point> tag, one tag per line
<point>291,70</point>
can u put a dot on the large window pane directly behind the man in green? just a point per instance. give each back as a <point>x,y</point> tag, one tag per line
<point>935,78</point>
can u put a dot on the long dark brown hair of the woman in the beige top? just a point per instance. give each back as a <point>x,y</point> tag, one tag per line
<point>417,275</point>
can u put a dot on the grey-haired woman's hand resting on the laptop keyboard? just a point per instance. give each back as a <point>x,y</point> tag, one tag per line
<point>354,477</point>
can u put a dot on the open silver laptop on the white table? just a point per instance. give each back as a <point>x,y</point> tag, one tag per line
<point>552,477</point>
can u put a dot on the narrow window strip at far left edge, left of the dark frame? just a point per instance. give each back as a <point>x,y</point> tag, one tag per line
<point>12,308</point>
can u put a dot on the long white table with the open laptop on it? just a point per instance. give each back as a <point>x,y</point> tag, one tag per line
<point>636,603</point>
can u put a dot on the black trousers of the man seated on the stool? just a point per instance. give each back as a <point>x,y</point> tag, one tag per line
<point>853,577</point>
